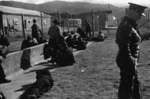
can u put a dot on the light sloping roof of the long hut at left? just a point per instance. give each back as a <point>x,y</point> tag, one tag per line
<point>13,10</point>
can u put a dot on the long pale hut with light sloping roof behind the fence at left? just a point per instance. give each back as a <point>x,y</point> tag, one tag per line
<point>16,22</point>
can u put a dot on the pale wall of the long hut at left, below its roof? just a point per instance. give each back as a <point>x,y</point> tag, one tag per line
<point>12,24</point>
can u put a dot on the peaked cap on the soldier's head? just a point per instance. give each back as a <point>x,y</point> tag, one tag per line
<point>137,8</point>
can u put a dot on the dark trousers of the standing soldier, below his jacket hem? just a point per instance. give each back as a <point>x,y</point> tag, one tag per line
<point>129,86</point>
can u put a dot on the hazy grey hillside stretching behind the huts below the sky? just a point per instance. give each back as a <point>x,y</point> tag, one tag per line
<point>61,6</point>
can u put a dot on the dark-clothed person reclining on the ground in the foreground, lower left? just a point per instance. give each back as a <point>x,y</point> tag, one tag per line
<point>43,84</point>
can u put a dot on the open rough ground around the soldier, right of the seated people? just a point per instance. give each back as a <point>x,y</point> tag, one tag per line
<point>95,74</point>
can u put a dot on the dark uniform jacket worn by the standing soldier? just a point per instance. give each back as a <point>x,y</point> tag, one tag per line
<point>128,38</point>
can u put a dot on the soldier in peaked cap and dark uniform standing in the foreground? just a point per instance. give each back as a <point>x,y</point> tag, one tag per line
<point>128,39</point>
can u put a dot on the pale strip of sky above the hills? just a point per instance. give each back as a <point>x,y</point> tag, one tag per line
<point>113,2</point>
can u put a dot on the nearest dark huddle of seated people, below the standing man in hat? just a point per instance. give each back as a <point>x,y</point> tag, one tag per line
<point>59,52</point>
